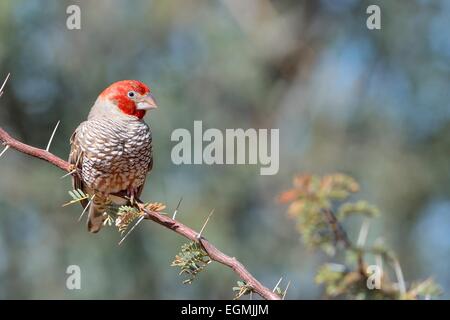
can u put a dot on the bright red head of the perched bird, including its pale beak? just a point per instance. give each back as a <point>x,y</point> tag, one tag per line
<point>132,97</point>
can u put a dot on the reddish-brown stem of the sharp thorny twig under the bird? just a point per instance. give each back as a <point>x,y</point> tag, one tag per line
<point>214,253</point>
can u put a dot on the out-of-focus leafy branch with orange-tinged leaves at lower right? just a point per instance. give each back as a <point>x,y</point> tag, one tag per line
<point>311,202</point>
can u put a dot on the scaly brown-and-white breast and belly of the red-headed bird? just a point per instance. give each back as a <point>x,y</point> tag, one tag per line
<point>116,153</point>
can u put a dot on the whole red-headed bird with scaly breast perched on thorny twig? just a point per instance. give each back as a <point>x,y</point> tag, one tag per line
<point>111,152</point>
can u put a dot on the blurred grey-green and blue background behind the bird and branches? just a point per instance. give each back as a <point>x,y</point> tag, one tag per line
<point>372,104</point>
